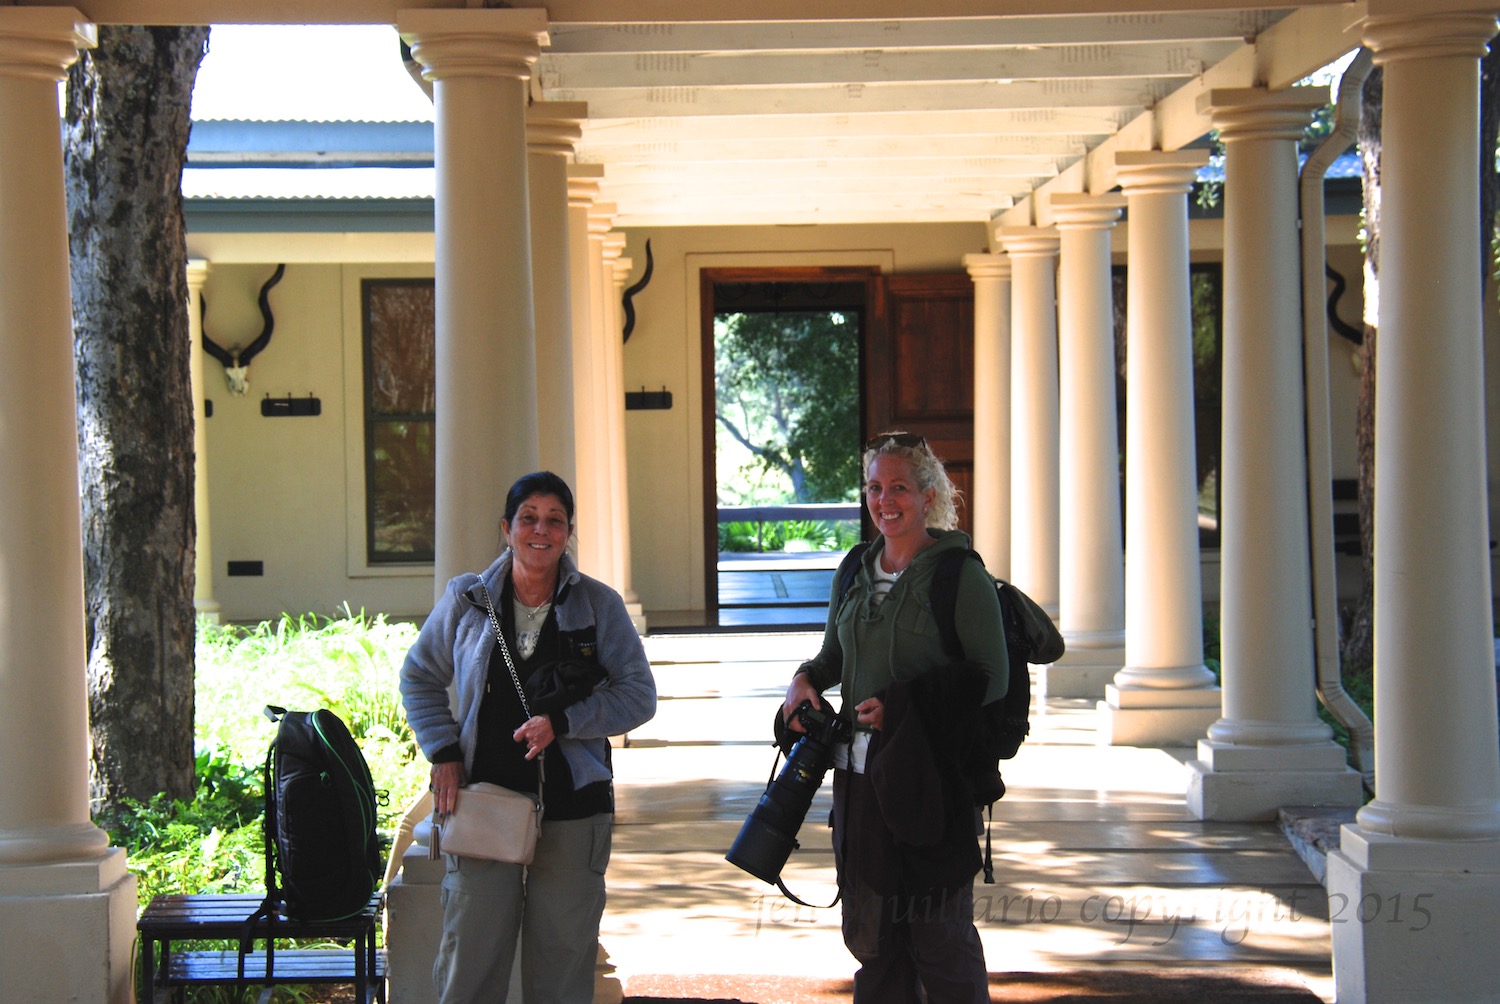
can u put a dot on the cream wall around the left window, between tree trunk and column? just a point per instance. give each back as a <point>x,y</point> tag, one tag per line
<point>286,491</point>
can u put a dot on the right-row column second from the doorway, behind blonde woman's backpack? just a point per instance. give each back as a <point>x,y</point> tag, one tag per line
<point>1034,410</point>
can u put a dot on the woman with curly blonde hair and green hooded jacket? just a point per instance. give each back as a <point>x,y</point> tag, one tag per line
<point>905,817</point>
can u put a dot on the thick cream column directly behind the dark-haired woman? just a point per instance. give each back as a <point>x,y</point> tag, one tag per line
<point>487,370</point>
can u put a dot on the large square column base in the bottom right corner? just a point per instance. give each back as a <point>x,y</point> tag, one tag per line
<point>1414,921</point>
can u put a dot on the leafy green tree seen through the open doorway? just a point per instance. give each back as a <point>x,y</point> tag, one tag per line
<point>788,391</point>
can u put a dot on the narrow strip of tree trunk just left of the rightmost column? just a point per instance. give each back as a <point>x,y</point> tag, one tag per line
<point>1360,640</point>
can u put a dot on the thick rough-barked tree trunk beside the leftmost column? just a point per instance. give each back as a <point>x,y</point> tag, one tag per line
<point>127,127</point>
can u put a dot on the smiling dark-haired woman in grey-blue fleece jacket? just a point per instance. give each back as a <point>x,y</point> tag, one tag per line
<point>580,660</point>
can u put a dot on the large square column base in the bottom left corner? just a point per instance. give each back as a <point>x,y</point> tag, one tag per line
<point>68,931</point>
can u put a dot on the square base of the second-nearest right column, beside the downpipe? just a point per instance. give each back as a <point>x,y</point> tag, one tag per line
<point>1252,783</point>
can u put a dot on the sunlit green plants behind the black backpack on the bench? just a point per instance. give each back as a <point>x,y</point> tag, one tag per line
<point>347,666</point>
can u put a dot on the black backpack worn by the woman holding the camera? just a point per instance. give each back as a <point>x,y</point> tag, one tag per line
<point>1030,639</point>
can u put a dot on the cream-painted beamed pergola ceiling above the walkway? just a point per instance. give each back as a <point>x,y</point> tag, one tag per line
<point>709,113</point>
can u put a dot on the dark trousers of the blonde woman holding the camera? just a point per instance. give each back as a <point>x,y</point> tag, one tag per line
<point>902,940</point>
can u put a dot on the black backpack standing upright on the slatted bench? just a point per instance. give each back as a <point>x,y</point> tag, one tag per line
<point>322,855</point>
